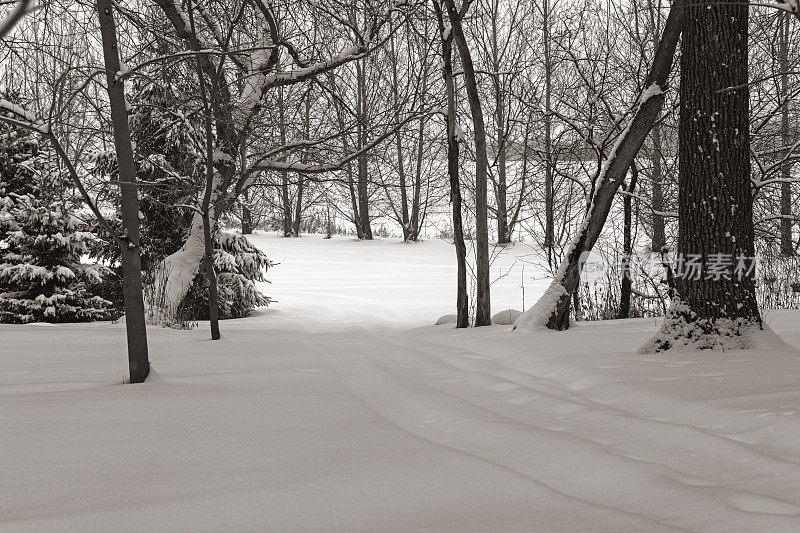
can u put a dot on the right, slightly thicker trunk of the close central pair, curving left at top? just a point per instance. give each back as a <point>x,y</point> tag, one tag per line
<point>483,308</point>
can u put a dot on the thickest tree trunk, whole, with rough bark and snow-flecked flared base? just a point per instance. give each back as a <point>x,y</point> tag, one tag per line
<point>715,229</point>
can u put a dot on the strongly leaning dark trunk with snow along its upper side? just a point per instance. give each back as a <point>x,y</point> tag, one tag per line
<point>552,309</point>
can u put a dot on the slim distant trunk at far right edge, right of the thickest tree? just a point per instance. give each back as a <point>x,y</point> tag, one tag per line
<point>787,246</point>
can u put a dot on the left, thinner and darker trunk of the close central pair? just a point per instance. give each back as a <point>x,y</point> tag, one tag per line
<point>462,298</point>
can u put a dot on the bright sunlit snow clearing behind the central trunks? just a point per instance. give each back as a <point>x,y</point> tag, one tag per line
<point>342,280</point>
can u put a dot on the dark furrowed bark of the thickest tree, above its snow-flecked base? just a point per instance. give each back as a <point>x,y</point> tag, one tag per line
<point>716,200</point>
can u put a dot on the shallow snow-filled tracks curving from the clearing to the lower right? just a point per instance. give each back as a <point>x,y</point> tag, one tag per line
<point>632,469</point>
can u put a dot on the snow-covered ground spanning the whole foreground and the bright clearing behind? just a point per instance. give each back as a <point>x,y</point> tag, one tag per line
<point>339,409</point>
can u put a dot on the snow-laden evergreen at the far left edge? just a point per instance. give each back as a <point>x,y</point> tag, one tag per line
<point>42,278</point>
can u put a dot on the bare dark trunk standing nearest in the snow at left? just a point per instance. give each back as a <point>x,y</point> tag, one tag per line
<point>138,361</point>
